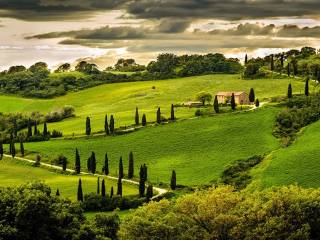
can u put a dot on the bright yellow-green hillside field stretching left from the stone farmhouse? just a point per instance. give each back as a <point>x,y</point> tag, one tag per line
<point>122,99</point>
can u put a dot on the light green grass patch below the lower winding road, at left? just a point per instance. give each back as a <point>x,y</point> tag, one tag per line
<point>14,173</point>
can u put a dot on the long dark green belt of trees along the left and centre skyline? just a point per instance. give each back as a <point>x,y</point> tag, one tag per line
<point>37,81</point>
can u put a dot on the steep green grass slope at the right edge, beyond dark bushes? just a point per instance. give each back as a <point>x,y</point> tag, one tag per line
<point>297,164</point>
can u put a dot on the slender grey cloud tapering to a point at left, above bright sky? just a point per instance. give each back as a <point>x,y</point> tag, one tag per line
<point>104,33</point>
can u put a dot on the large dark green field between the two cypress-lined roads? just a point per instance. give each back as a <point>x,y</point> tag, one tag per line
<point>198,149</point>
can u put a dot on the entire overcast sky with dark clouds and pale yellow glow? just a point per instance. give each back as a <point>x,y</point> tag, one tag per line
<point>102,31</point>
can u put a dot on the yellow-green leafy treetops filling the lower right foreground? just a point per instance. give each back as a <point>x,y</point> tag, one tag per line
<point>221,213</point>
